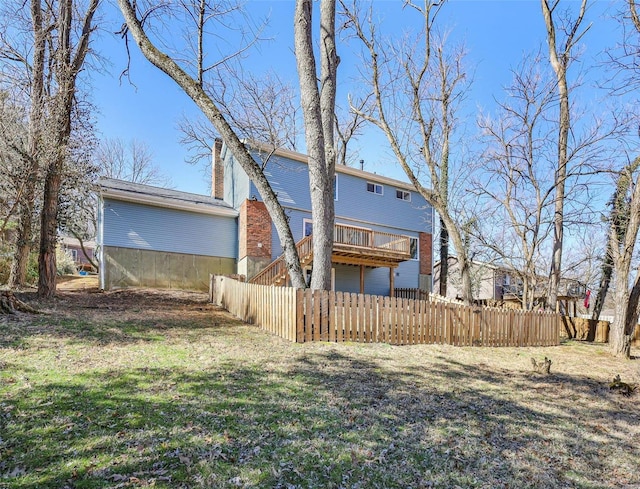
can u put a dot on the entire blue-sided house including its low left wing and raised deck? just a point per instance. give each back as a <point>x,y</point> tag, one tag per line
<point>383,230</point>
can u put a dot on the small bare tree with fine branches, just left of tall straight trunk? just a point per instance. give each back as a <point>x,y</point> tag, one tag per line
<point>514,177</point>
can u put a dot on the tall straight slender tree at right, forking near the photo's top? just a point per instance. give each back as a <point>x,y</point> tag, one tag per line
<point>561,53</point>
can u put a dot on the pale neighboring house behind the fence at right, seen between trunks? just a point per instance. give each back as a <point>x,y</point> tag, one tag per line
<point>493,284</point>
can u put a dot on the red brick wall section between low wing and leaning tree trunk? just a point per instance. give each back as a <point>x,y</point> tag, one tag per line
<point>254,230</point>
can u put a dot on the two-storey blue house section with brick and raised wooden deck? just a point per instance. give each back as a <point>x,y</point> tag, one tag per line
<point>383,228</point>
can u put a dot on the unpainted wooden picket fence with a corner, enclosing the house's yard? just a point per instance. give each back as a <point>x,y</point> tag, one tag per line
<point>306,315</point>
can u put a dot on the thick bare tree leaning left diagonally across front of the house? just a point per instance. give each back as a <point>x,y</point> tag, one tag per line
<point>190,77</point>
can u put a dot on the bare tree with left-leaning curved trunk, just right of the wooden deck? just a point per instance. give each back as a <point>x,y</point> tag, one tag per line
<point>416,87</point>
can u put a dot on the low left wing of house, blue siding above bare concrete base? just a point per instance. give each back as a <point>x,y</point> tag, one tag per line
<point>162,238</point>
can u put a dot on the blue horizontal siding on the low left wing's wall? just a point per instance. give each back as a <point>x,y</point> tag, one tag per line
<point>132,225</point>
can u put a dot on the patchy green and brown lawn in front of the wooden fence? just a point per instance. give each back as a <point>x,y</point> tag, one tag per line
<point>141,388</point>
